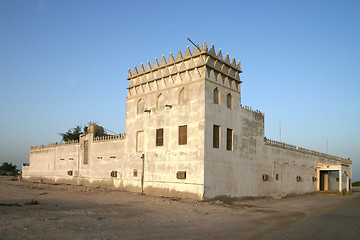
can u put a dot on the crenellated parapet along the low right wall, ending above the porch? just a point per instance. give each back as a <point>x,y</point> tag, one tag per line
<point>304,150</point>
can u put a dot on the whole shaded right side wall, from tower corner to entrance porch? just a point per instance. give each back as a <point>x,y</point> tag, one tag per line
<point>240,172</point>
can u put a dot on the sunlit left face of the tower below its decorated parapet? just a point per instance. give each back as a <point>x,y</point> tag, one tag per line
<point>163,162</point>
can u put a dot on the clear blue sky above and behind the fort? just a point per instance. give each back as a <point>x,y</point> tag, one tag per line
<point>65,63</point>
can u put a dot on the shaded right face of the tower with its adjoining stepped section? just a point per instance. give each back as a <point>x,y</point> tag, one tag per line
<point>233,173</point>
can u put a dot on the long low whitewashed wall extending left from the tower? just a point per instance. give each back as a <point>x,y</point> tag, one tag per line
<point>53,163</point>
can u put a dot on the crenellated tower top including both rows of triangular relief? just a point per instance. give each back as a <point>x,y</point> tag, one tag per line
<point>190,66</point>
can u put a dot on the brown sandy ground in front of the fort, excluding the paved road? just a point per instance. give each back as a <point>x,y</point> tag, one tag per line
<point>79,212</point>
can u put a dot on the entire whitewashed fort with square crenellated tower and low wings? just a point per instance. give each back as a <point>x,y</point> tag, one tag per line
<point>188,135</point>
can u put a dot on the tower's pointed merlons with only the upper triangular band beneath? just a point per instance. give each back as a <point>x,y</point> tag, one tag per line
<point>182,63</point>
